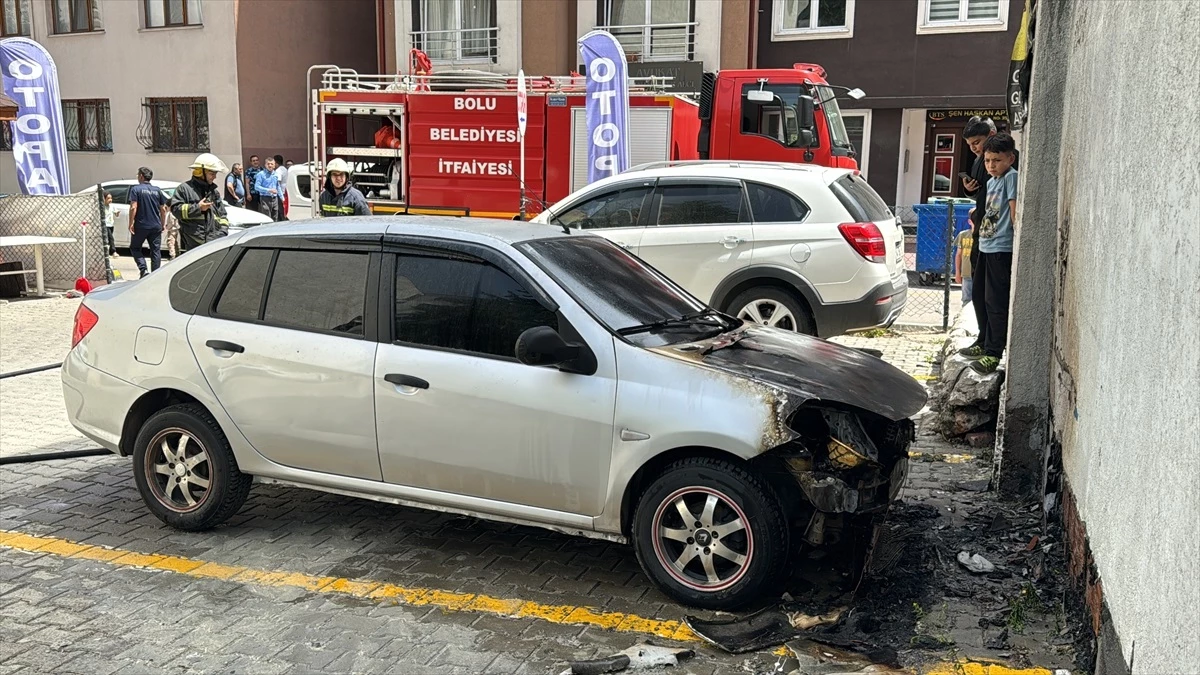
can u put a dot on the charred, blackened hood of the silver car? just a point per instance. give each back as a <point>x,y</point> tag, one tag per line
<point>809,368</point>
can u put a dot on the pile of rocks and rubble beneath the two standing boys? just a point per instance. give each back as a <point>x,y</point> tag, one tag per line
<point>965,404</point>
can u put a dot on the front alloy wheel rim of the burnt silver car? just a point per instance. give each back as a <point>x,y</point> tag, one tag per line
<point>703,540</point>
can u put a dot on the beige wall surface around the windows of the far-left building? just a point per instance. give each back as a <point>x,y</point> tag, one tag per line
<point>125,64</point>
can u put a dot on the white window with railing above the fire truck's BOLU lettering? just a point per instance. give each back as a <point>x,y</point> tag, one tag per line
<point>457,32</point>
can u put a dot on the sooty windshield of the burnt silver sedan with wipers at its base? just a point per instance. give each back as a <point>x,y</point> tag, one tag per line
<point>625,294</point>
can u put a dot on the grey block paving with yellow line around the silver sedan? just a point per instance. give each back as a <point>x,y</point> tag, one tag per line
<point>467,596</point>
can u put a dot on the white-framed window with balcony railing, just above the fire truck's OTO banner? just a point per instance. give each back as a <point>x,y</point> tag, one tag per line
<point>652,31</point>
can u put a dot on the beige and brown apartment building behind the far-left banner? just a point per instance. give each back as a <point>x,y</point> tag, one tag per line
<point>155,82</point>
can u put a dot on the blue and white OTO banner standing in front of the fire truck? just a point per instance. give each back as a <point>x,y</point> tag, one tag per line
<point>608,107</point>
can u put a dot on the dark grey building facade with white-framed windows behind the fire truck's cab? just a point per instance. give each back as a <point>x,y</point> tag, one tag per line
<point>927,67</point>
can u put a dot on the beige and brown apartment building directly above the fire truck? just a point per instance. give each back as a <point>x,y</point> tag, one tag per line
<point>680,39</point>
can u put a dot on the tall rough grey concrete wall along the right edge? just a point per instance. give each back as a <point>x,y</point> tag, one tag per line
<point>1125,368</point>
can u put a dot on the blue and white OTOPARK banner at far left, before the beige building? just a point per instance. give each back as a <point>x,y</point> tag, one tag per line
<point>39,138</point>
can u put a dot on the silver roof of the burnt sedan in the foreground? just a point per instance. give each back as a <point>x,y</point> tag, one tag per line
<point>477,230</point>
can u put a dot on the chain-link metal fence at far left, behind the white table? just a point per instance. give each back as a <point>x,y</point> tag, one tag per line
<point>43,216</point>
